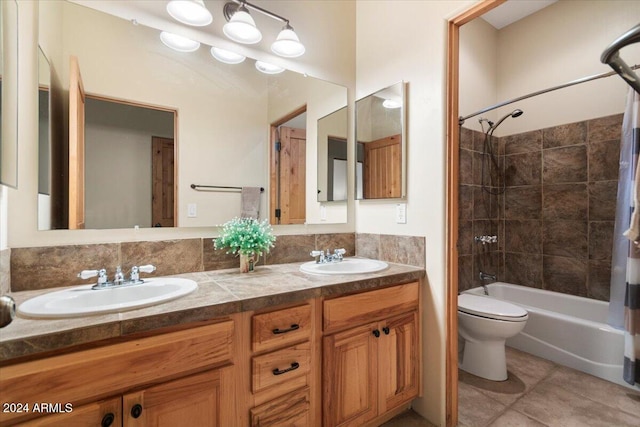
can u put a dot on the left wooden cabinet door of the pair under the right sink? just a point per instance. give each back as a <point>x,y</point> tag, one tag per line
<point>350,371</point>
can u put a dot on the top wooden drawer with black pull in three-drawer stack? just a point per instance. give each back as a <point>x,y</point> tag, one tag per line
<point>282,327</point>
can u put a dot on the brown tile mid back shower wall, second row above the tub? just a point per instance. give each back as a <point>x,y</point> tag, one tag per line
<point>565,238</point>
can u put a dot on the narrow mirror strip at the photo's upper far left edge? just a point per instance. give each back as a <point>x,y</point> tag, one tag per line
<point>9,93</point>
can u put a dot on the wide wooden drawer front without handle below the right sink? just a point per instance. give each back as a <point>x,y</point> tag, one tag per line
<point>353,310</point>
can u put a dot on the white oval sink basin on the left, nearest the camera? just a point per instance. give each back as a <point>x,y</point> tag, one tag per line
<point>83,300</point>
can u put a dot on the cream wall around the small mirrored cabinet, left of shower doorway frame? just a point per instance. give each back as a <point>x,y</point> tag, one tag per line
<point>406,40</point>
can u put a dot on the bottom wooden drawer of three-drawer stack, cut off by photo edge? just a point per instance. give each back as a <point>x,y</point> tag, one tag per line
<point>292,410</point>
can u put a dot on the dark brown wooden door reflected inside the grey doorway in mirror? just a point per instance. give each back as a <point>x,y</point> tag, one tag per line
<point>163,185</point>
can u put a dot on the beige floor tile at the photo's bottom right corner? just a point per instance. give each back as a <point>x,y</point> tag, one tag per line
<point>558,407</point>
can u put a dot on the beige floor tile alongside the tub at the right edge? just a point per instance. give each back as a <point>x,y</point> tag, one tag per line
<point>597,389</point>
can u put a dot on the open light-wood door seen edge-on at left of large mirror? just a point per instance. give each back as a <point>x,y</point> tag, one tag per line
<point>76,146</point>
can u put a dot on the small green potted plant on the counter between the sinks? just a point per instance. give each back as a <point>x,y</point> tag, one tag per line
<point>247,237</point>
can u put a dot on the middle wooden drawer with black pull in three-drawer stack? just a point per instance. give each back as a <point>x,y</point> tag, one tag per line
<point>279,366</point>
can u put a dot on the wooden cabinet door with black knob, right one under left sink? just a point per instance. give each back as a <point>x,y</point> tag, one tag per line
<point>190,401</point>
